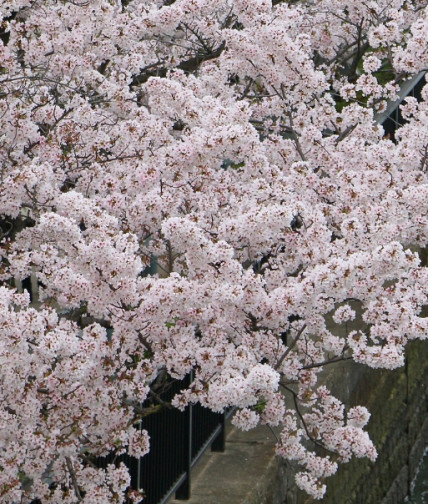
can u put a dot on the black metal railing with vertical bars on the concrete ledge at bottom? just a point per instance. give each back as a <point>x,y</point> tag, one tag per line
<point>177,440</point>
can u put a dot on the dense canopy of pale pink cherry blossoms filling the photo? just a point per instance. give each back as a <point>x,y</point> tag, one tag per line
<point>233,144</point>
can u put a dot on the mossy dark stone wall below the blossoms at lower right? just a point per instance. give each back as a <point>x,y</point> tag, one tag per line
<point>398,401</point>
